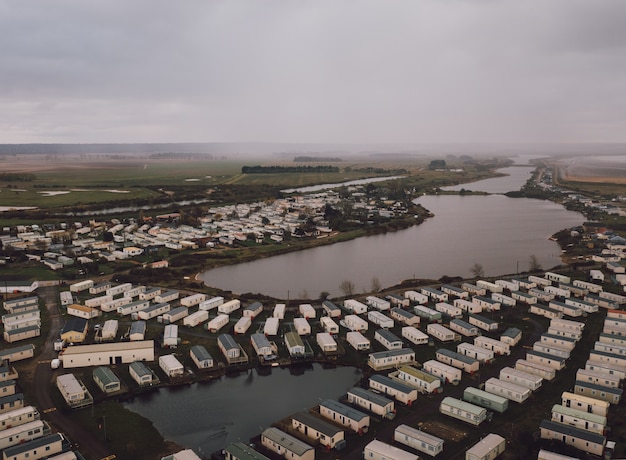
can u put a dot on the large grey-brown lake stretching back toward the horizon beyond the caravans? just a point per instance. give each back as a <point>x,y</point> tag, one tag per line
<point>496,231</point>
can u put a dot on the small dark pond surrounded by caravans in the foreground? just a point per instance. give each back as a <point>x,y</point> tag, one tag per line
<point>206,417</point>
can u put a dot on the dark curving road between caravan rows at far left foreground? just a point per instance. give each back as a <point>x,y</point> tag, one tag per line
<point>42,383</point>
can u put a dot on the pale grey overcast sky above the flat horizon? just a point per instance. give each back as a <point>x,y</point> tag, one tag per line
<point>347,71</point>
